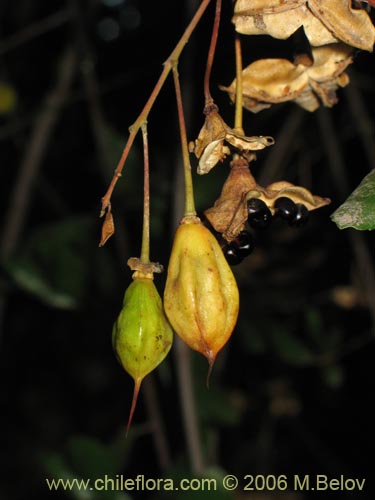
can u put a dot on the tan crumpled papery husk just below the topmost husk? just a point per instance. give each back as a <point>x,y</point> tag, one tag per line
<point>270,81</point>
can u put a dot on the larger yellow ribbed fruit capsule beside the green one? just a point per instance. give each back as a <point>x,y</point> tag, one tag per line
<point>201,298</point>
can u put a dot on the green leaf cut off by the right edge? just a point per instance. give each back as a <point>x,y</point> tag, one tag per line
<point>358,211</point>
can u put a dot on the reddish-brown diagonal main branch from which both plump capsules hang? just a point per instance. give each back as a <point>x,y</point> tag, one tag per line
<point>134,128</point>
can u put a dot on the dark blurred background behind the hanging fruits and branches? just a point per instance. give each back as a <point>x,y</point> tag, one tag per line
<point>292,393</point>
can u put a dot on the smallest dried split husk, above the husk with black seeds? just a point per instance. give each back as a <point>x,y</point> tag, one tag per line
<point>212,144</point>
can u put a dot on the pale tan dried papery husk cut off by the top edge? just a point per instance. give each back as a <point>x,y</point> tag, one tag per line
<point>324,21</point>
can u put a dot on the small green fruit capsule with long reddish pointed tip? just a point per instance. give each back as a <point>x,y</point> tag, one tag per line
<point>142,336</point>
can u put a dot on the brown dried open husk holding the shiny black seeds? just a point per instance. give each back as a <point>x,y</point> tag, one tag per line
<point>229,214</point>
